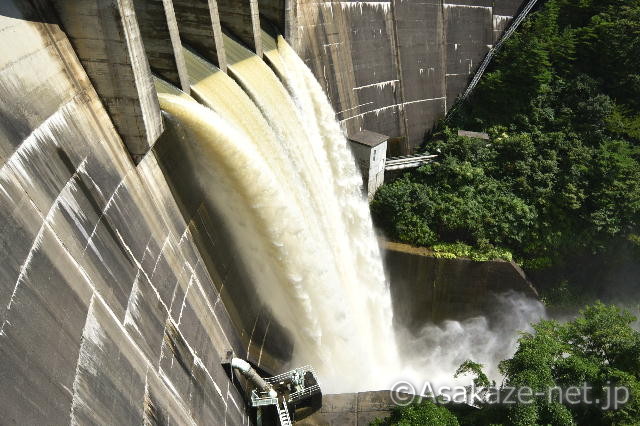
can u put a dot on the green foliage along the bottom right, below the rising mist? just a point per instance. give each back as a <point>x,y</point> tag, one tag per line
<point>599,349</point>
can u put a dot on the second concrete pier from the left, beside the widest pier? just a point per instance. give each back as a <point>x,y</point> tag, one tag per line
<point>161,38</point>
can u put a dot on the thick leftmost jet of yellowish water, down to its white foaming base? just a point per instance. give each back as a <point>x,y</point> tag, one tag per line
<point>334,327</point>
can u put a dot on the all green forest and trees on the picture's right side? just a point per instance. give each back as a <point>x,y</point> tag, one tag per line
<point>559,178</point>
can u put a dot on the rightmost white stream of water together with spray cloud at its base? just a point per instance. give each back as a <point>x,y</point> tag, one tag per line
<point>437,352</point>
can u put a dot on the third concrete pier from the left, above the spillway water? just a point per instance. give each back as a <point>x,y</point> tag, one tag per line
<point>199,24</point>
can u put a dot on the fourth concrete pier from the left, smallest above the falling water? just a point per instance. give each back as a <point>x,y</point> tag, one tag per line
<point>241,19</point>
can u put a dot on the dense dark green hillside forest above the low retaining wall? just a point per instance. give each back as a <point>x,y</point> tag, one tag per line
<point>561,171</point>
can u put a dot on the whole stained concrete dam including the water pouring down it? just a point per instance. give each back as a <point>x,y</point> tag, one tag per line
<point>177,191</point>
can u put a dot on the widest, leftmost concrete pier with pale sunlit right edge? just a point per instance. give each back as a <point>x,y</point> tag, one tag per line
<point>106,38</point>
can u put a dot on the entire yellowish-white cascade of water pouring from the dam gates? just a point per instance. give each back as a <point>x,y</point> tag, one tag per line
<point>274,164</point>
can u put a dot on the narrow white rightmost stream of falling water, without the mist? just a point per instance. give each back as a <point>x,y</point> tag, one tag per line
<point>365,253</point>
